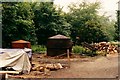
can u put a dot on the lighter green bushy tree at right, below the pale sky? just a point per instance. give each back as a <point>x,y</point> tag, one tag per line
<point>87,25</point>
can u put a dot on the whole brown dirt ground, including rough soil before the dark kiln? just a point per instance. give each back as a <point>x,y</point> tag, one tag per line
<point>80,67</point>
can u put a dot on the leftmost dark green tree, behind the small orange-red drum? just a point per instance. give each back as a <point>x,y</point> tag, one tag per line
<point>17,22</point>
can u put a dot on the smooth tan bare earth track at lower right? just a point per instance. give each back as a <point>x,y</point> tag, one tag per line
<point>100,68</point>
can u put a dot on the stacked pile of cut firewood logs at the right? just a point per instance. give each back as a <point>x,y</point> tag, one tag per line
<point>106,46</point>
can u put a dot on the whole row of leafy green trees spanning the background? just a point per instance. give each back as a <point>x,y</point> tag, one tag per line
<point>36,22</point>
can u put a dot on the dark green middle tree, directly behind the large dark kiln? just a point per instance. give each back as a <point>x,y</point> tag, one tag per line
<point>48,21</point>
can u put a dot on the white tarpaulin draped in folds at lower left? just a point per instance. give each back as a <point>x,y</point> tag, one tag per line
<point>15,58</point>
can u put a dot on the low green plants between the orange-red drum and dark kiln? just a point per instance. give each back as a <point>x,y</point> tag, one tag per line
<point>39,49</point>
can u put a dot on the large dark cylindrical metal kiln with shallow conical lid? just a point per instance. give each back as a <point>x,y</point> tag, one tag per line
<point>58,44</point>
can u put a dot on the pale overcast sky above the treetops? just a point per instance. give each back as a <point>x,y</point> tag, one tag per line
<point>107,6</point>
